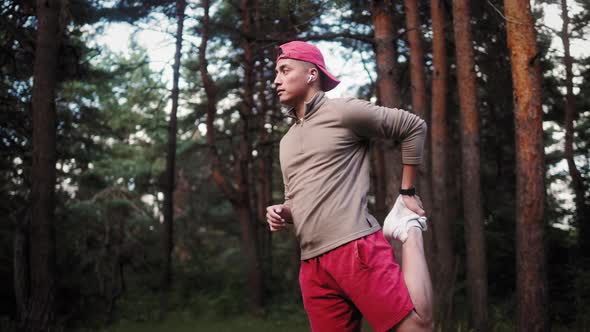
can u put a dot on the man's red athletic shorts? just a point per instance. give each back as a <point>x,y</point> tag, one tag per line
<point>356,280</point>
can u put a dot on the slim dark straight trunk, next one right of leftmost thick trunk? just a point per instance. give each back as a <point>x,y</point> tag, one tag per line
<point>168,231</point>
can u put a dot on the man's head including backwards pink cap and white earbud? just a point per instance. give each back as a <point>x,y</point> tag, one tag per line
<point>300,68</point>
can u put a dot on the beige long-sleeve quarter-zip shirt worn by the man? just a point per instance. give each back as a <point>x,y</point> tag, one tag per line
<point>325,163</point>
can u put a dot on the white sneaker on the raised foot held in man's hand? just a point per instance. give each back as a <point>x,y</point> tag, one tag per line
<point>399,220</point>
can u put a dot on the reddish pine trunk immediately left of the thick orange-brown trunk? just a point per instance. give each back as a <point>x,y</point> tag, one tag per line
<point>472,209</point>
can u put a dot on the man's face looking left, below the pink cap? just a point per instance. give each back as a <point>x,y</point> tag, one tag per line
<point>291,80</point>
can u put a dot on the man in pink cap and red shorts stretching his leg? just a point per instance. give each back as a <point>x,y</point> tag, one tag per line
<point>348,270</point>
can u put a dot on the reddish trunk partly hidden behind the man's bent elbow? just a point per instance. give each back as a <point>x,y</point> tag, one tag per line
<point>420,107</point>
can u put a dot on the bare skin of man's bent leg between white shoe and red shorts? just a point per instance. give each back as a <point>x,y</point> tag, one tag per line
<point>417,280</point>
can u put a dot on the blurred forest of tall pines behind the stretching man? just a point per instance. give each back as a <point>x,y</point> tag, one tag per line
<point>99,227</point>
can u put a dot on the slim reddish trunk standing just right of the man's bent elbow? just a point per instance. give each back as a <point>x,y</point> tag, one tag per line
<point>440,182</point>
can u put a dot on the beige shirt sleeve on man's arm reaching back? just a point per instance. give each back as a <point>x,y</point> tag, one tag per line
<point>367,120</point>
